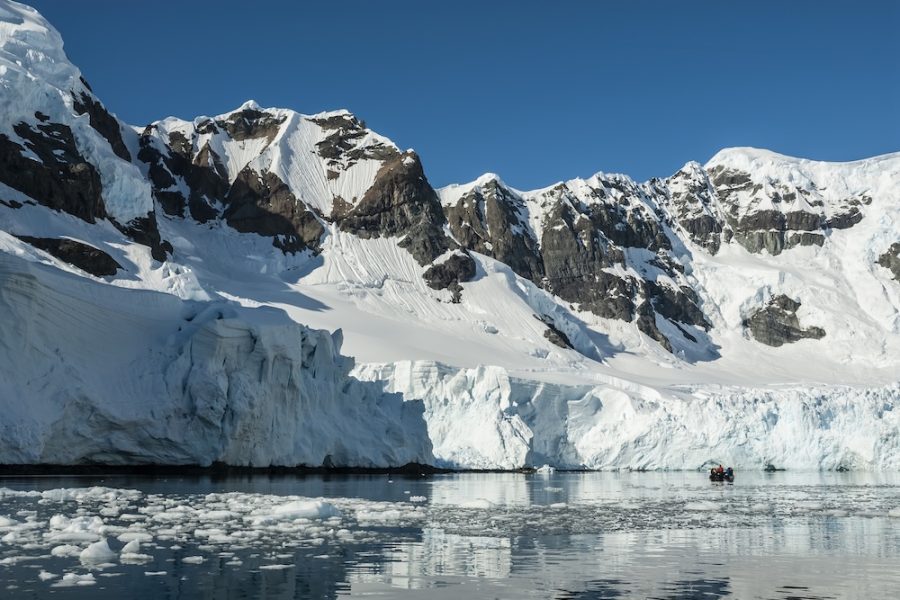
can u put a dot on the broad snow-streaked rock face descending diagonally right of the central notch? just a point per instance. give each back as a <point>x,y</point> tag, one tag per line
<point>601,244</point>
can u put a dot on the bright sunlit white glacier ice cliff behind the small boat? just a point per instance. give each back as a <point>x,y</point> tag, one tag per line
<point>484,418</point>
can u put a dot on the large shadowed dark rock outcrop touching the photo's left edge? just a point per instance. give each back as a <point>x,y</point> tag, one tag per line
<point>61,179</point>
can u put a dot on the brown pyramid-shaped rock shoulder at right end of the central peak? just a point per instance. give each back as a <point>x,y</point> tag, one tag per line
<point>401,202</point>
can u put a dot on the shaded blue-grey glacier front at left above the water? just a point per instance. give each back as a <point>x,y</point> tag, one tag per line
<point>112,376</point>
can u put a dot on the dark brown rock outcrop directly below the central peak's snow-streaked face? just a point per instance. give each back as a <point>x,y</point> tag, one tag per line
<point>264,204</point>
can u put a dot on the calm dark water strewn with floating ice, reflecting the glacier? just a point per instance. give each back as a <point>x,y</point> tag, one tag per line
<point>563,535</point>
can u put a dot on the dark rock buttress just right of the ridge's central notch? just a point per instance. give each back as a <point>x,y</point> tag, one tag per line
<point>490,221</point>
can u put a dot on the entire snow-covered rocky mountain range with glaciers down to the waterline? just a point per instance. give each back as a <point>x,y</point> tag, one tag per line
<point>163,288</point>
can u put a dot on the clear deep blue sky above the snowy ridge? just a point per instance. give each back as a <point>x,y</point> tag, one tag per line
<point>535,91</point>
